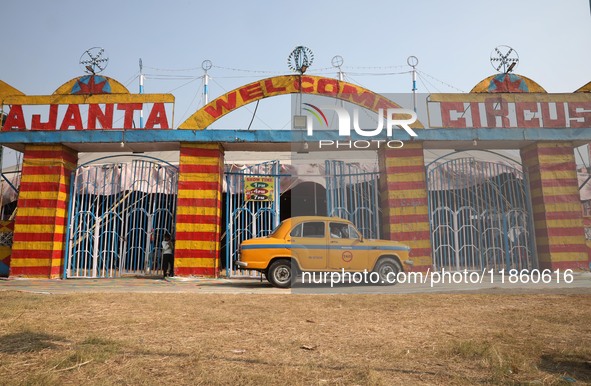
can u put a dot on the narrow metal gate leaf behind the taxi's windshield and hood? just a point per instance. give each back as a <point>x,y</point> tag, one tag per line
<point>352,194</point>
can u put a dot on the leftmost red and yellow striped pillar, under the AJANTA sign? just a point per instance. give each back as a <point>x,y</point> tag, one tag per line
<point>39,239</point>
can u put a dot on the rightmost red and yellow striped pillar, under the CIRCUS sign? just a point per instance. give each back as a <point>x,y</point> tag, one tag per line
<point>558,221</point>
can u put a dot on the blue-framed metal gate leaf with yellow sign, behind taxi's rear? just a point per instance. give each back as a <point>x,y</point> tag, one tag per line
<point>248,217</point>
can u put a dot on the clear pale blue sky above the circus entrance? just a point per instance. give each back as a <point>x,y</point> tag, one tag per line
<point>44,40</point>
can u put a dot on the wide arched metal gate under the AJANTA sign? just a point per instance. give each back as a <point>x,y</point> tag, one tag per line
<point>119,213</point>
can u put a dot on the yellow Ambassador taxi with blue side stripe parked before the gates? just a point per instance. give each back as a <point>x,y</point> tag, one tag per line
<point>323,244</point>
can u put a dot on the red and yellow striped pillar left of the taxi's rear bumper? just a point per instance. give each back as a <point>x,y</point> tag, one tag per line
<point>198,221</point>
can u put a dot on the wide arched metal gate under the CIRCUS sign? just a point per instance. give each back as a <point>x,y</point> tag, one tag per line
<point>480,216</point>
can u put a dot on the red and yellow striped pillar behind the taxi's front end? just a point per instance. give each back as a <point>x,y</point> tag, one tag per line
<point>404,201</point>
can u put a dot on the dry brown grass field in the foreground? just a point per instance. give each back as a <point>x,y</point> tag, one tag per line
<point>288,339</point>
